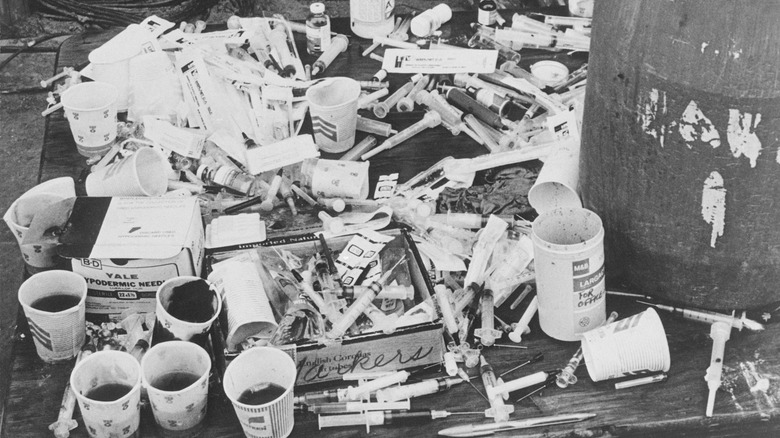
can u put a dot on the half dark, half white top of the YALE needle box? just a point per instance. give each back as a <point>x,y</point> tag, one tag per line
<point>128,227</point>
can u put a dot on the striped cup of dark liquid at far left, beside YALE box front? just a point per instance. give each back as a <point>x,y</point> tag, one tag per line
<point>54,305</point>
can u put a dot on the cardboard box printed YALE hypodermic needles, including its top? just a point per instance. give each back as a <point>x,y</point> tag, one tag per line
<point>126,247</point>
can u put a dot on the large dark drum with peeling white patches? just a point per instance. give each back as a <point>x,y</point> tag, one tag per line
<point>679,149</point>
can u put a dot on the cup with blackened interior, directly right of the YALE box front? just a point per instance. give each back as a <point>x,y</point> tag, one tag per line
<point>186,308</point>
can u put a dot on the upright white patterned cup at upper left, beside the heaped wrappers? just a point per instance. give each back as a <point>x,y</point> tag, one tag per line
<point>91,111</point>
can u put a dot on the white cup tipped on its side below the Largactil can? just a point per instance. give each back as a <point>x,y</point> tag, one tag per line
<point>635,345</point>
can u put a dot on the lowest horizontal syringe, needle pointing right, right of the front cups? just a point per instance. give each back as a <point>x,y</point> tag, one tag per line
<point>375,418</point>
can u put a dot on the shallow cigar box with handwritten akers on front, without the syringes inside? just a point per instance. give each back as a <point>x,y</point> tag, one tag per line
<point>408,347</point>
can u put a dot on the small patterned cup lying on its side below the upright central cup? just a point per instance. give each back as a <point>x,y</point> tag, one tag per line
<point>337,179</point>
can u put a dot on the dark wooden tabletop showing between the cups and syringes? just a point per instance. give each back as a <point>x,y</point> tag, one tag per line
<point>675,407</point>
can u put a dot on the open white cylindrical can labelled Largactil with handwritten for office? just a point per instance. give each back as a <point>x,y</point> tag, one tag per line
<point>569,264</point>
